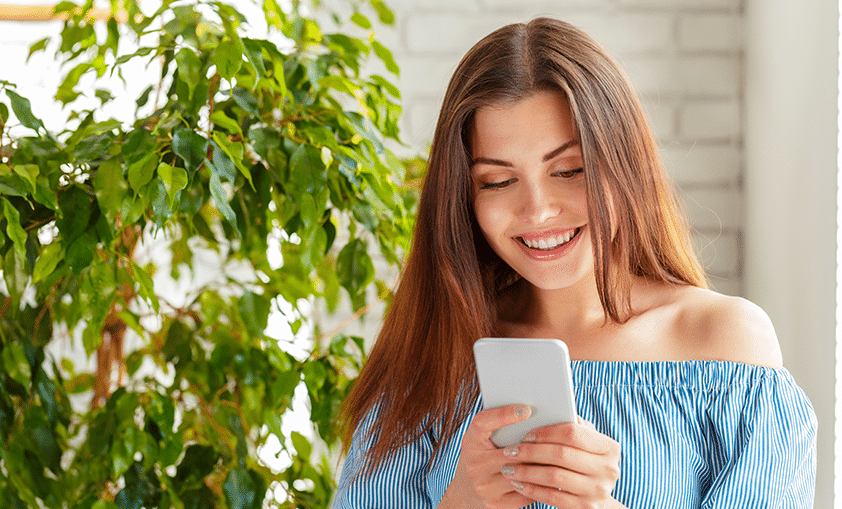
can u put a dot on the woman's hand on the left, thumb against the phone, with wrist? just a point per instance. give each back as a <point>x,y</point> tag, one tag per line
<point>479,481</point>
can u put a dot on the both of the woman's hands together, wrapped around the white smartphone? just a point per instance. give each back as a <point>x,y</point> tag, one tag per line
<point>568,465</point>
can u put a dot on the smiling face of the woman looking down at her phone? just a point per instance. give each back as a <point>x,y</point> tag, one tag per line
<point>529,189</point>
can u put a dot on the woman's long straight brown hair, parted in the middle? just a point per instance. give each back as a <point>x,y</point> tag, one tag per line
<point>421,366</point>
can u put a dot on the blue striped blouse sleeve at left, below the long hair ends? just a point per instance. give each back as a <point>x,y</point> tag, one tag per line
<point>398,482</point>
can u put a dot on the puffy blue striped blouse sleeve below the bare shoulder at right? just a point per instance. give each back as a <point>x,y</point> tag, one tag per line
<point>762,445</point>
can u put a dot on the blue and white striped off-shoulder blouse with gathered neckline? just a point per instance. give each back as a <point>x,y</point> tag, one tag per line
<point>694,434</point>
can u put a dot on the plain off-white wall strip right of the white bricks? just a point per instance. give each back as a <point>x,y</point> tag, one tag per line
<point>790,193</point>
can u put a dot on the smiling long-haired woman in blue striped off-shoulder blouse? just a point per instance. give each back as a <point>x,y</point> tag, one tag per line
<point>546,213</point>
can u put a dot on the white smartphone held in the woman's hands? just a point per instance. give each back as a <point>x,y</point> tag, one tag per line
<point>525,371</point>
